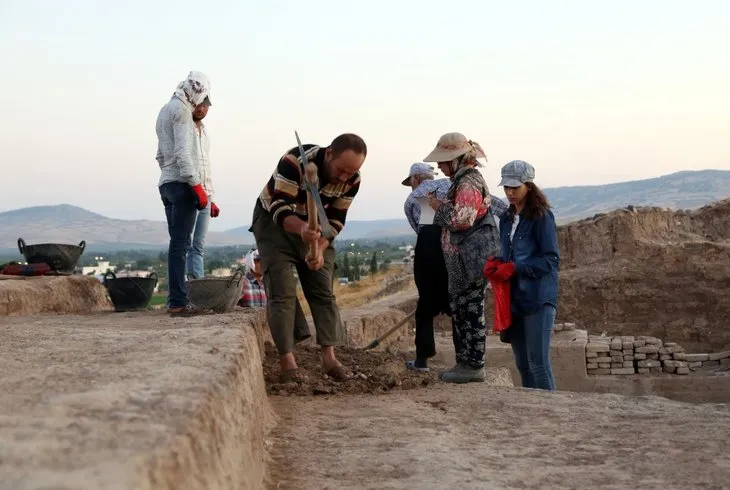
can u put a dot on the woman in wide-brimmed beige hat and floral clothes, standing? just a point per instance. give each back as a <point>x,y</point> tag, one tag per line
<point>469,235</point>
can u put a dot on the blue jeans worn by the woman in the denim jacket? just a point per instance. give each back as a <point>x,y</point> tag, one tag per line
<point>530,340</point>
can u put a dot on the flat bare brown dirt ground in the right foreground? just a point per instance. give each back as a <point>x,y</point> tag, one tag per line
<point>479,436</point>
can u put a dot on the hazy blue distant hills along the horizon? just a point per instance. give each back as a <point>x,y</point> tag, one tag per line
<point>71,224</point>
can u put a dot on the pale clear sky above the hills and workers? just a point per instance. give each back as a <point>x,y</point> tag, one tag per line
<point>588,92</point>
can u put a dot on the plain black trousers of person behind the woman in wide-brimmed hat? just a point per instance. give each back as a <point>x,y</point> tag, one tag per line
<point>432,282</point>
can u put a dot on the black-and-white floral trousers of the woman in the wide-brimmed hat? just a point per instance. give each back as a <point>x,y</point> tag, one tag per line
<point>467,307</point>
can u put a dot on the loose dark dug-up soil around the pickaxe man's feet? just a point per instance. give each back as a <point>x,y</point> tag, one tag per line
<point>373,372</point>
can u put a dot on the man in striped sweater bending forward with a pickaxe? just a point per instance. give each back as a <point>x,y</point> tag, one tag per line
<point>280,226</point>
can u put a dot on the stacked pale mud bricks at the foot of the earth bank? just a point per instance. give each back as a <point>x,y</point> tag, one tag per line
<point>645,355</point>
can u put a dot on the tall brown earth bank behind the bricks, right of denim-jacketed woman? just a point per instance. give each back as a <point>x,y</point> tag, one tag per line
<point>650,271</point>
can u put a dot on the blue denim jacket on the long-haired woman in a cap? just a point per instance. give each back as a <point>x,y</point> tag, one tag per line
<point>534,250</point>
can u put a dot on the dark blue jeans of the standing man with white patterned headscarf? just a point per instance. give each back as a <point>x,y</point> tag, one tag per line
<point>181,211</point>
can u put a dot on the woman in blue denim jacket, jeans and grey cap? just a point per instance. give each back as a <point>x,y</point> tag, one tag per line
<point>531,259</point>
